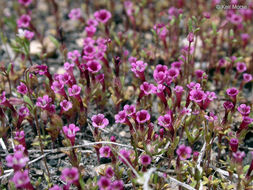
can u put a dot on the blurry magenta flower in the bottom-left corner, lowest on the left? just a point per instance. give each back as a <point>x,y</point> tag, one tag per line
<point>21,180</point>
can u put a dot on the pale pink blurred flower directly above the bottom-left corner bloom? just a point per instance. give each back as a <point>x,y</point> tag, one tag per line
<point>17,161</point>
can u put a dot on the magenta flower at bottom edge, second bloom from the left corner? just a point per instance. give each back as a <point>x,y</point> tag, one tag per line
<point>70,175</point>
